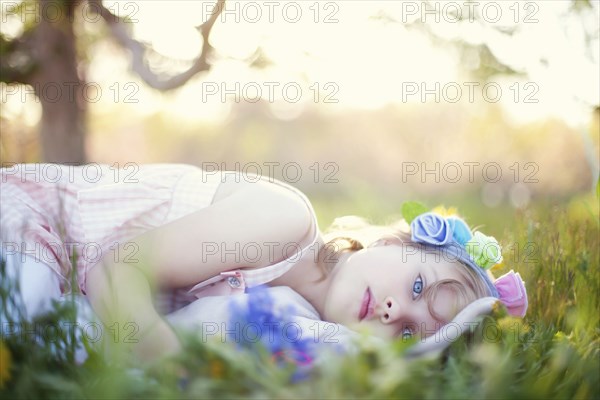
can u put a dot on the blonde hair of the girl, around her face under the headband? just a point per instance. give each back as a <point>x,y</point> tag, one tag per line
<point>353,233</point>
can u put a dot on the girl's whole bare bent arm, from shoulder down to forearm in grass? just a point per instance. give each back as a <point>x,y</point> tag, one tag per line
<point>194,248</point>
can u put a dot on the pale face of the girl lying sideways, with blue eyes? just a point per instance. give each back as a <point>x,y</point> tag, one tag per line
<point>381,290</point>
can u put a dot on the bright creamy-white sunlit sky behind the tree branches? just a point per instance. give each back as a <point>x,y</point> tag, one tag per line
<point>361,61</point>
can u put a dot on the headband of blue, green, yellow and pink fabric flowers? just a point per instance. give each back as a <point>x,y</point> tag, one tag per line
<point>478,251</point>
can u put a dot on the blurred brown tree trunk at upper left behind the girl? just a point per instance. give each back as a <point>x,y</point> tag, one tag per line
<point>58,86</point>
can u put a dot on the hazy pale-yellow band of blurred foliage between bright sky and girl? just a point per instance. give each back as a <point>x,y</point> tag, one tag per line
<point>361,149</point>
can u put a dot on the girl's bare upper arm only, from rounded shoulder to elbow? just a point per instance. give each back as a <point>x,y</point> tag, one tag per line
<point>251,225</point>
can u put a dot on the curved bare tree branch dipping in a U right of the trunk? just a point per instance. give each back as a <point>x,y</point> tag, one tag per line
<point>138,50</point>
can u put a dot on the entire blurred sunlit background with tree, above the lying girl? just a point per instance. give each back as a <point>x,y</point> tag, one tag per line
<point>489,106</point>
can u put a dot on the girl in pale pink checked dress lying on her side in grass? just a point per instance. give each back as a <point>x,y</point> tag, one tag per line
<point>191,234</point>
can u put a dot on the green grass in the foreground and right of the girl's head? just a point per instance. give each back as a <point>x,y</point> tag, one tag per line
<point>552,353</point>
